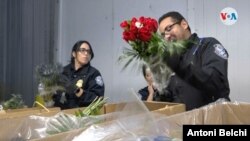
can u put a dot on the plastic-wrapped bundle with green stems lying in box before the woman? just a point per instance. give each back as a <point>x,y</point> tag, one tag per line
<point>83,118</point>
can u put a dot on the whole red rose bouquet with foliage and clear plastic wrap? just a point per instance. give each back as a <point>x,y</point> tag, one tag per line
<point>149,47</point>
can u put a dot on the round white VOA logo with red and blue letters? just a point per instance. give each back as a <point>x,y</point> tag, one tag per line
<point>228,16</point>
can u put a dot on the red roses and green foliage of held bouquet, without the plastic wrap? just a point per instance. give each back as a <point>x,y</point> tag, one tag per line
<point>141,34</point>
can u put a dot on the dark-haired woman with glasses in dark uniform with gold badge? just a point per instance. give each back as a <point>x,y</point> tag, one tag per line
<point>82,82</point>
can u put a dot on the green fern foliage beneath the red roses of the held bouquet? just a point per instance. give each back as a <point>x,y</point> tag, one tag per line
<point>146,51</point>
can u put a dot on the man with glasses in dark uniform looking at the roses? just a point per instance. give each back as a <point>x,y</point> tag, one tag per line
<point>200,74</point>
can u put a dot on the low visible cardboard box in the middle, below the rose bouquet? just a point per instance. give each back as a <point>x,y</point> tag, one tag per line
<point>166,108</point>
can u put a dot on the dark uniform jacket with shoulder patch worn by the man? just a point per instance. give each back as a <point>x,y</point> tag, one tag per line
<point>200,74</point>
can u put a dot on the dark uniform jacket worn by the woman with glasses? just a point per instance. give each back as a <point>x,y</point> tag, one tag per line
<point>93,85</point>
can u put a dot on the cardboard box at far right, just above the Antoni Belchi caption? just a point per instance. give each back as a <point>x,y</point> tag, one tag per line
<point>215,113</point>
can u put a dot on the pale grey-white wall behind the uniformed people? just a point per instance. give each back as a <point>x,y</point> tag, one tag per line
<point>98,21</point>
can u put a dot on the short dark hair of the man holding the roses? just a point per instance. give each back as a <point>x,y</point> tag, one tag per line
<point>176,16</point>
